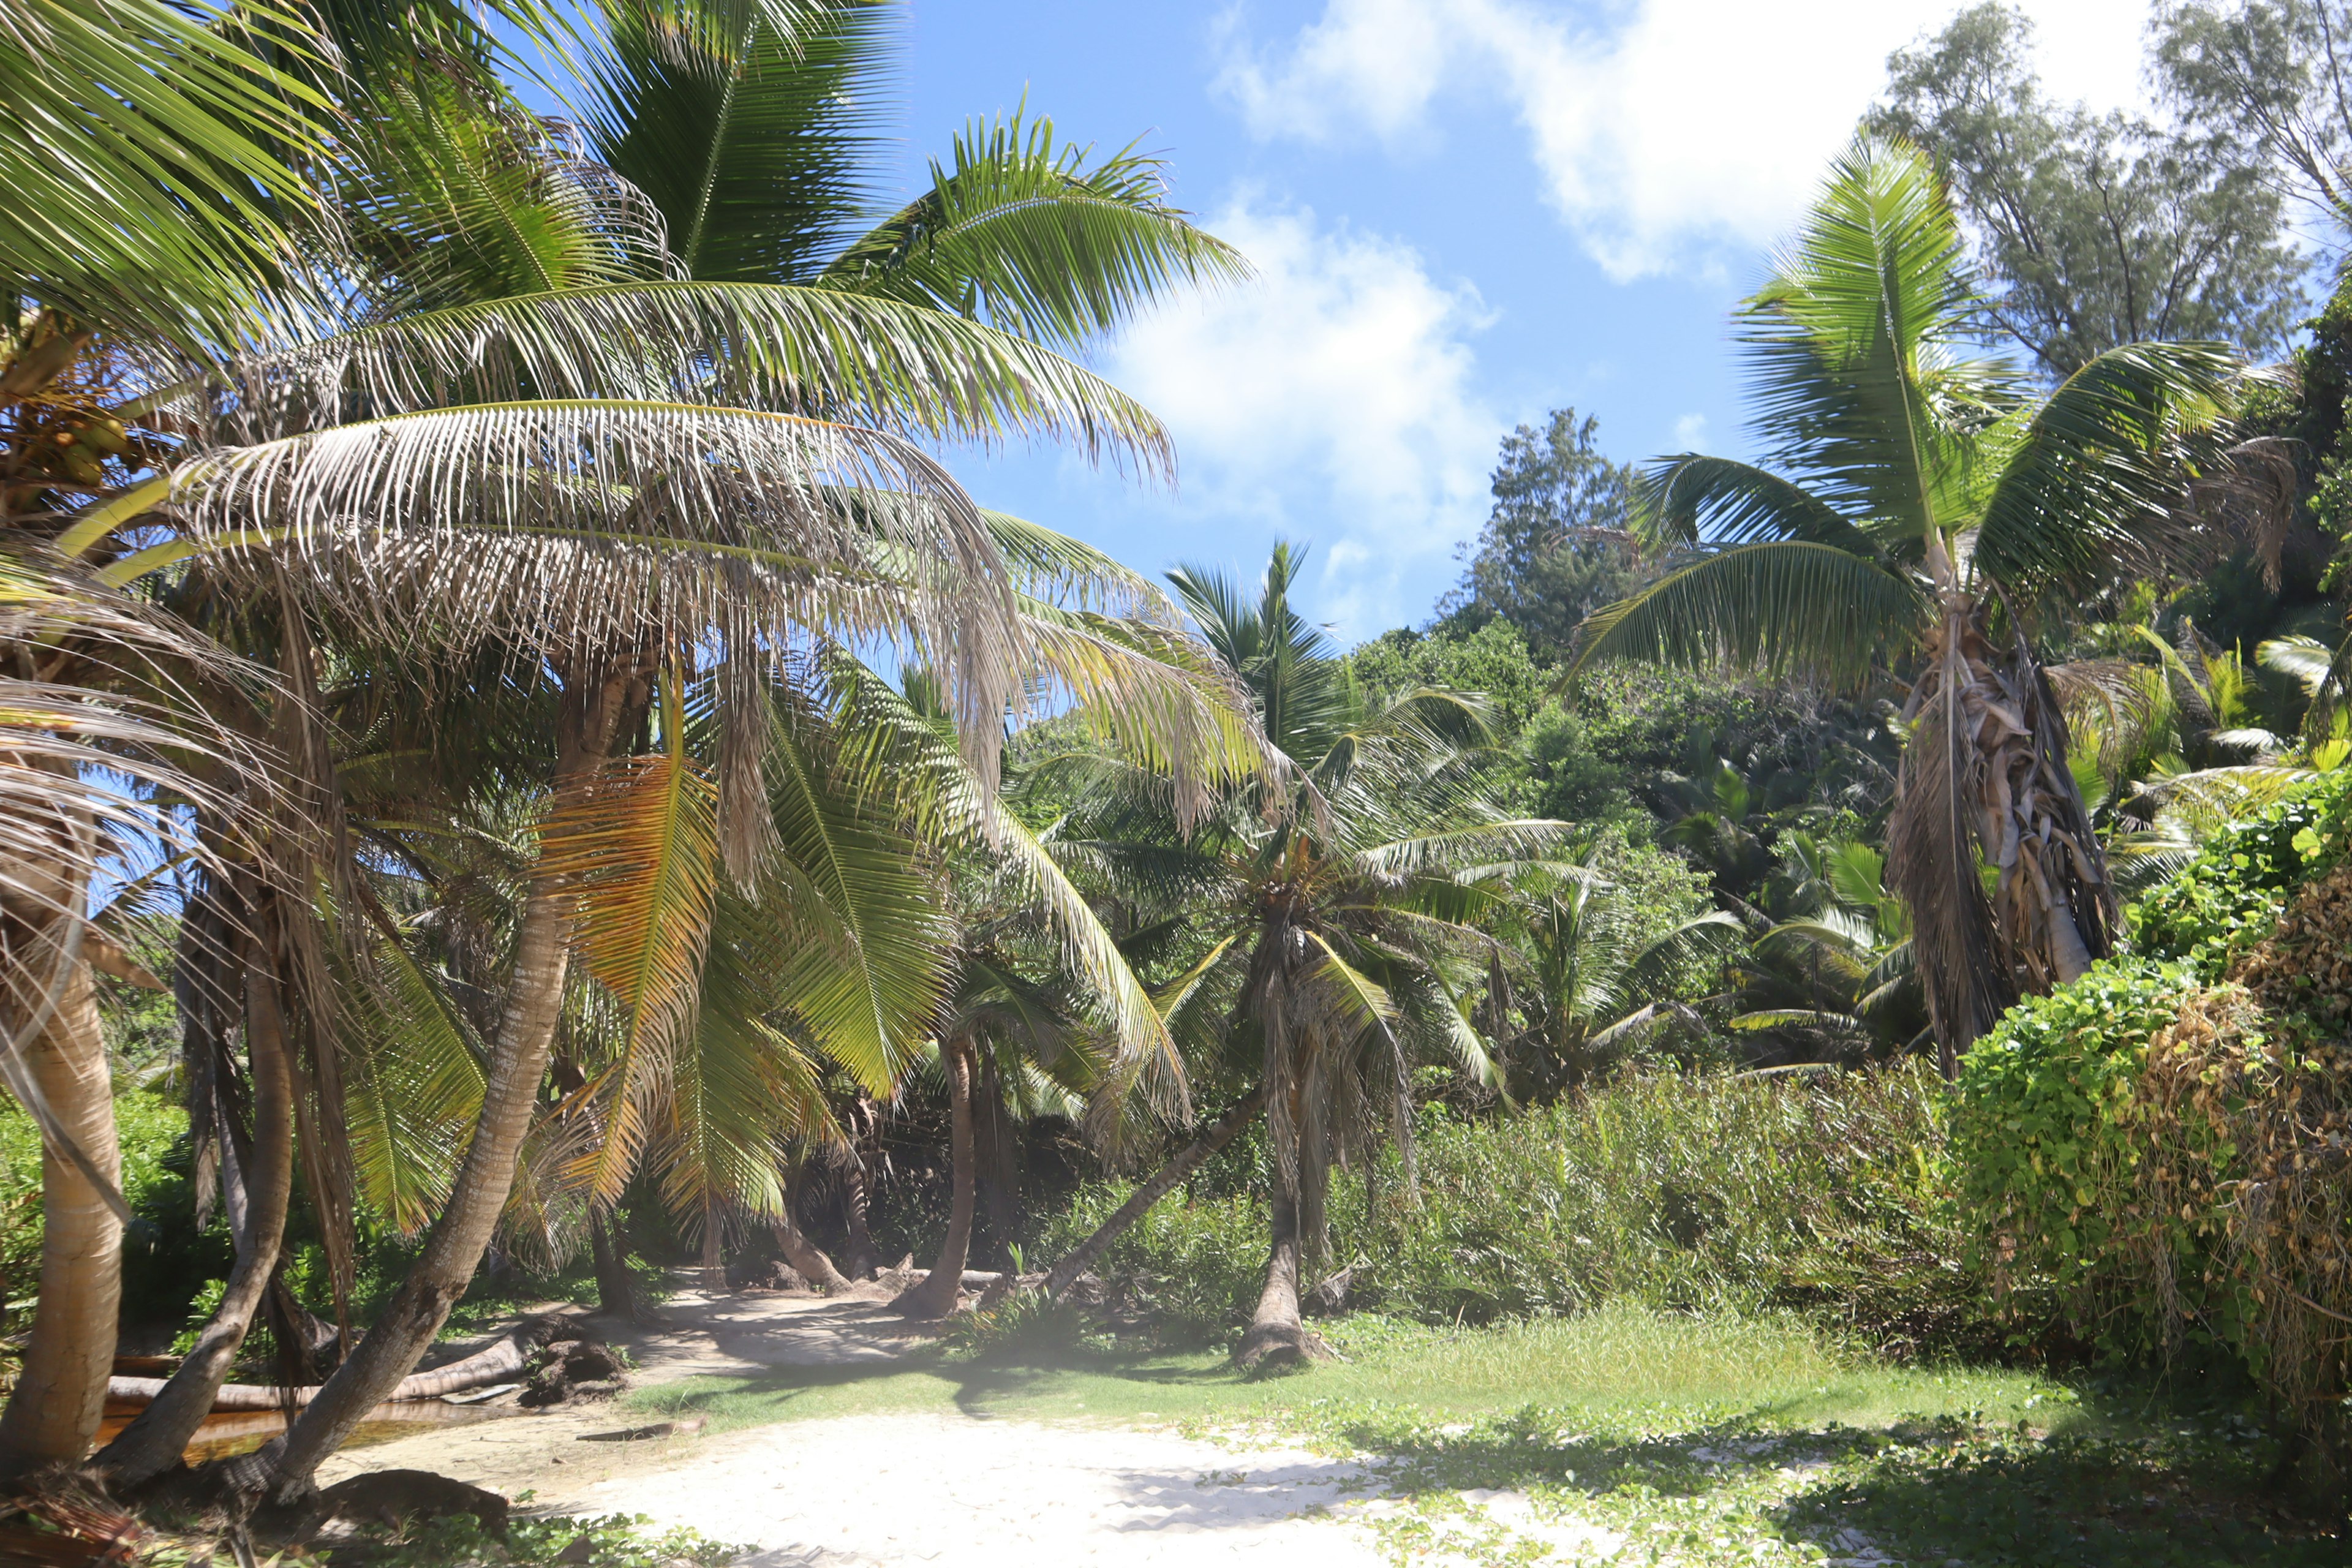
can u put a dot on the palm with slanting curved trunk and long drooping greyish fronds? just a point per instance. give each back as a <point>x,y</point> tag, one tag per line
<point>622,460</point>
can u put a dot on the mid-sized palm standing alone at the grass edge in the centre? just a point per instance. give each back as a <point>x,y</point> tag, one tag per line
<point>1339,894</point>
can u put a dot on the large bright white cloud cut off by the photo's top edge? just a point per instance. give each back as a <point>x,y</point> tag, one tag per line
<point>1662,128</point>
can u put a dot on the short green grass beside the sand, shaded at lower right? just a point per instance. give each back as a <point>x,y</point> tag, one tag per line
<point>1690,1440</point>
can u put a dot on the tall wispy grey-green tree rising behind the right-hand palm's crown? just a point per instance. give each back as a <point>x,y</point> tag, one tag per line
<point>2097,229</point>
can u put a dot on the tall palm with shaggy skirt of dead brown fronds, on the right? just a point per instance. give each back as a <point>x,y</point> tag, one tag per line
<point>1920,507</point>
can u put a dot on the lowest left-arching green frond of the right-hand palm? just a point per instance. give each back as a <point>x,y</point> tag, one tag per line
<point>1784,608</point>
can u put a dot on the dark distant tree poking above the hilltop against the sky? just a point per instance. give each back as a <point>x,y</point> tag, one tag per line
<point>1556,544</point>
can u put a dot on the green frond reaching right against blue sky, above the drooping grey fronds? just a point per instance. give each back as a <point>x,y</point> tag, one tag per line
<point>1024,234</point>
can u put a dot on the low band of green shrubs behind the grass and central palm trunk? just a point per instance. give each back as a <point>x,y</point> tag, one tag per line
<point>1678,1191</point>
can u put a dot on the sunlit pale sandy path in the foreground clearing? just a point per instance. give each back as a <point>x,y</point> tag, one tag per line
<point>890,1489</point>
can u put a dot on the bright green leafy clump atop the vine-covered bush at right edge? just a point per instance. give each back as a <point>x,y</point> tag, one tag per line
<point>2233,892</point>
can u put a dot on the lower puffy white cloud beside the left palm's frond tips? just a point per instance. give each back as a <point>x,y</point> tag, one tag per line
<point>1337,387</point>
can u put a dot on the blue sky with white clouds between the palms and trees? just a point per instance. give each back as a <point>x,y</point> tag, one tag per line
<point>1464,213</point>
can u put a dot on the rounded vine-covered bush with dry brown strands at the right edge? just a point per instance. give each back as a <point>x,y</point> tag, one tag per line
<point>2165,1155</point>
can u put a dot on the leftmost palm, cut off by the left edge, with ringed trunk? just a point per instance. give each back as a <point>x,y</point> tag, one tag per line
<point>152,210</point>
